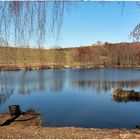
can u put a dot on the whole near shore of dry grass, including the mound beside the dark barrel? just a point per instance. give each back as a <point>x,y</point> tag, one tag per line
<point>29,127</point>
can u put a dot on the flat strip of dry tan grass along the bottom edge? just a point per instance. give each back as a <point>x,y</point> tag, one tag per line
<point>21,131</point>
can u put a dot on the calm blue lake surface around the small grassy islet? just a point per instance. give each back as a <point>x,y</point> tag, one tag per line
<point>76,97</point>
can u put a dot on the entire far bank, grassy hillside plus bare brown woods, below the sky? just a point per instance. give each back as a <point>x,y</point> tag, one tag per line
<point>105,55</point>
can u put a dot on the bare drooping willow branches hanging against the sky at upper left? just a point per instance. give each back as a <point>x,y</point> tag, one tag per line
<point>26,22</point>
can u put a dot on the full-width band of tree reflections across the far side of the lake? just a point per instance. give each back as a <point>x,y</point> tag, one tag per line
<point>28,82</point>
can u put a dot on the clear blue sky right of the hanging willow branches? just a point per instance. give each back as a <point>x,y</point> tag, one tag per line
<point>89,22</point>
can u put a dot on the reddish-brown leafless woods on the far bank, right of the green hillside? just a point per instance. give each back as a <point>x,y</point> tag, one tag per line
<point>112,55</point>
